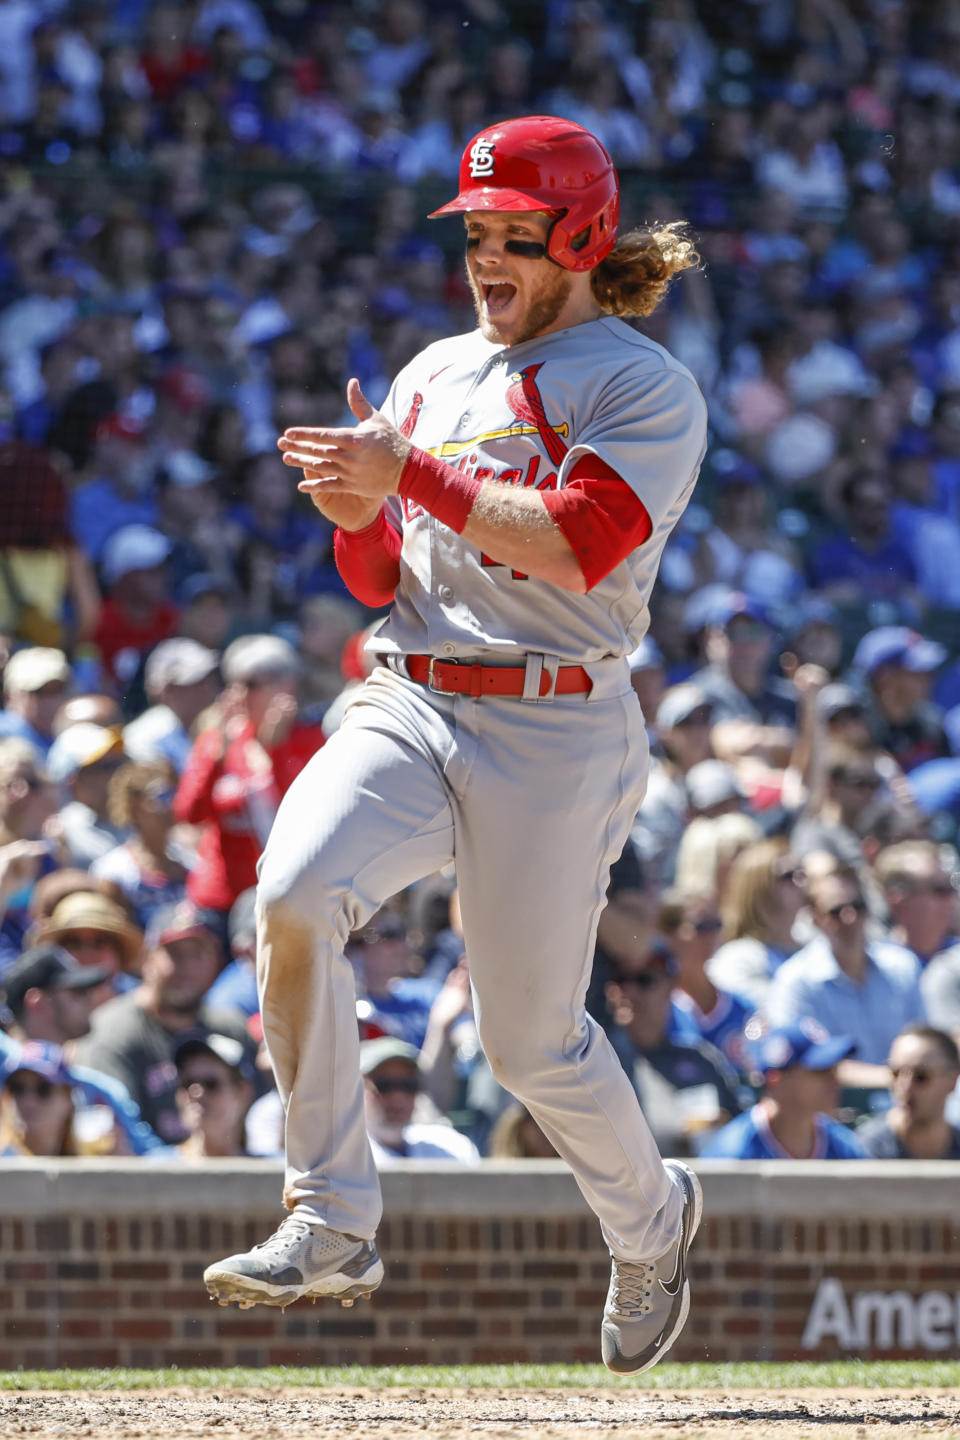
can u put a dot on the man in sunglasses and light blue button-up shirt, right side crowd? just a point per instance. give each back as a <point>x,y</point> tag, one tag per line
<point>866,990</point>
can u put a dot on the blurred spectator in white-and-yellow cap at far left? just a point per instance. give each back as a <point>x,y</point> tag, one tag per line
<point>83,761</point>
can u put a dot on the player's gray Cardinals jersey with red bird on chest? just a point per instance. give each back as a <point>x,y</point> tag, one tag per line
<point>526,415</point>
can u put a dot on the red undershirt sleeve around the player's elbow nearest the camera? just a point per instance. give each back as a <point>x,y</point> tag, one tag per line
<point>602,519</point>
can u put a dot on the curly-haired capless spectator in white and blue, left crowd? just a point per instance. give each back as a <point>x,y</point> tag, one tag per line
<point>150,866</point>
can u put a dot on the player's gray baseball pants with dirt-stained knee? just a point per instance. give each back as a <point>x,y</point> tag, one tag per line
<point>533,801</point>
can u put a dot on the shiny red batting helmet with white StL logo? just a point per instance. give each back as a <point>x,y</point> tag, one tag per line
<point>543,163</point>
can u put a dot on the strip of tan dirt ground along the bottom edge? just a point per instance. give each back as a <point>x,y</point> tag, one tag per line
<point>447,1415</point>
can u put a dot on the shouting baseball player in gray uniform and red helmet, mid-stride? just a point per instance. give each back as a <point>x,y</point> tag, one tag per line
<point>512,500</point>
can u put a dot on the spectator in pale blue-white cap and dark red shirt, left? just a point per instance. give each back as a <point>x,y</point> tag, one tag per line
<point>137,613</point>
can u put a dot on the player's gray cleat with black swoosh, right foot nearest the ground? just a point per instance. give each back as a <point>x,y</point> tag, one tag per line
<point>648,1302</point>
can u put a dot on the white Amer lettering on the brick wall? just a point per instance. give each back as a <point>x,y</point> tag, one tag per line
<point>883,1320</point>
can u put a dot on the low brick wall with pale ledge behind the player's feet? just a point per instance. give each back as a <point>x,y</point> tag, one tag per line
<point>101,1264</point>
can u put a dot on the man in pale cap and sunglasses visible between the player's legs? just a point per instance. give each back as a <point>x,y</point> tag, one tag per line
<point>394,1097</point>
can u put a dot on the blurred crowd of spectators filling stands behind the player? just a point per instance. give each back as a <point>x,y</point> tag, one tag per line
<point>211,218</point>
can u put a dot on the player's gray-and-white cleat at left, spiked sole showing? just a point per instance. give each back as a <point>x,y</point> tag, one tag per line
<point>299,1259</point>
